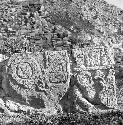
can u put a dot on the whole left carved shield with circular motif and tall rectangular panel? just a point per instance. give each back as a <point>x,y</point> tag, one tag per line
<point>32,80</point>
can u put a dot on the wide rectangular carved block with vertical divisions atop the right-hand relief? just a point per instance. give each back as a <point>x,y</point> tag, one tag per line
<point>95,57</point>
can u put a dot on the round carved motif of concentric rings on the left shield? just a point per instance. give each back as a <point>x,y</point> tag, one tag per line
<point>25,69</point>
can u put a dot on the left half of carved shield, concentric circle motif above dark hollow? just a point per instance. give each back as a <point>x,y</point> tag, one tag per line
<point>26,74</point>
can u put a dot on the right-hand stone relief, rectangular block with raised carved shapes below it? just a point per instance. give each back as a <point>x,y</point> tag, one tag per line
<point>98,59</point>
